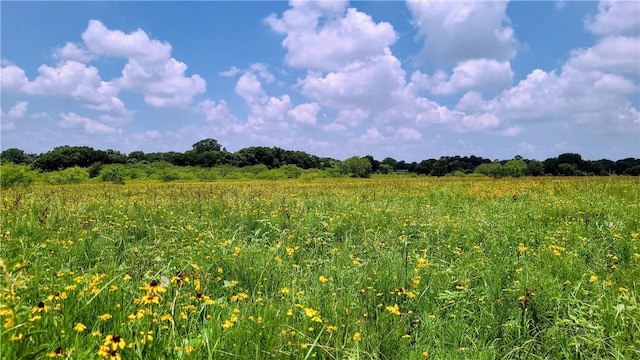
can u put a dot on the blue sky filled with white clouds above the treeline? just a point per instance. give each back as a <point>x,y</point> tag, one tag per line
<point>411,80</point>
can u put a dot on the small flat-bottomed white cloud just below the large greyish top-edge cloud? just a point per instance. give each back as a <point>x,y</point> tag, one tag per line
<point>478,75</point>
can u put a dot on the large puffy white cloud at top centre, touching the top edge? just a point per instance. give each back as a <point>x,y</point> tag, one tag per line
<point>321,36</point>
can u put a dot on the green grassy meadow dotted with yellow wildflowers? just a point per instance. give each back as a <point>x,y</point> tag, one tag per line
<point>393,268</point>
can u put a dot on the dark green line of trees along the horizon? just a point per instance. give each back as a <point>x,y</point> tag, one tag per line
<point>209,153</point>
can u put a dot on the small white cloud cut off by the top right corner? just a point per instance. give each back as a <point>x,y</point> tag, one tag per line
<point>615,18</point>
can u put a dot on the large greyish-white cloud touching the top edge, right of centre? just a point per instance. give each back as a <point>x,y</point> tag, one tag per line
<point>455,31</point>
